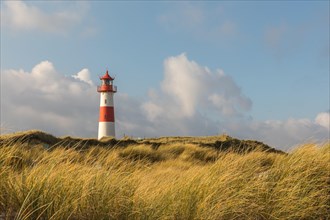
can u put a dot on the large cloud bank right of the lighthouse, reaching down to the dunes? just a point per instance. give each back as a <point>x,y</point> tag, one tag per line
<point>194,100</point>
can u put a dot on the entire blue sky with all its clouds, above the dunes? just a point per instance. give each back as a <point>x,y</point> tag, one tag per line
<point>249,69</point>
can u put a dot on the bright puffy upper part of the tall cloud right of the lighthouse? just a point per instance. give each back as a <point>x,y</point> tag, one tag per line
<point>189,88</point>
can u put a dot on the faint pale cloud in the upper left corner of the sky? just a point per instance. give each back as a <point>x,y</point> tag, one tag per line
<point>20,15</point>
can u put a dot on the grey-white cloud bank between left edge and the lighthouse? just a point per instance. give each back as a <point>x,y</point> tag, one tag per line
<point>46,99</point>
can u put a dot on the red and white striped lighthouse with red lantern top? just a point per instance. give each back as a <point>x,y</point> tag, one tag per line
<point>107,115</point>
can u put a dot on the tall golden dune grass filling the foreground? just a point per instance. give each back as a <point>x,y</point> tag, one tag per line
<point>173,180</point>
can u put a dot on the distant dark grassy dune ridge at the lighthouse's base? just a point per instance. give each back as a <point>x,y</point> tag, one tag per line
<point>222,143</point>
